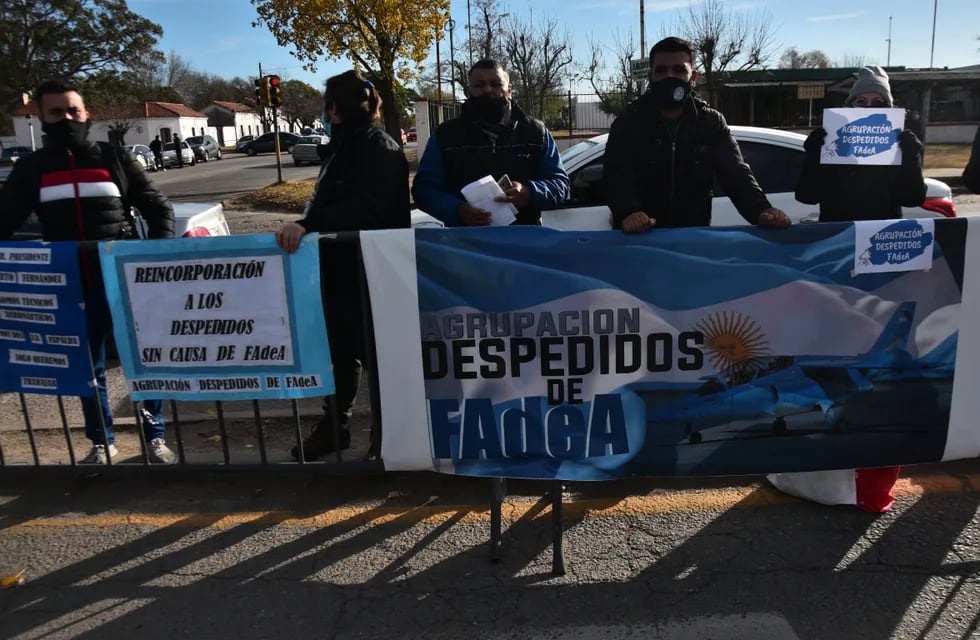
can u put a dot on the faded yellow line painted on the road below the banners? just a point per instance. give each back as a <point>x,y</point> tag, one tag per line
<point>360,515</point>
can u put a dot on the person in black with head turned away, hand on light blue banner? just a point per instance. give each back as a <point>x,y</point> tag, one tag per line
<point>363,185</point>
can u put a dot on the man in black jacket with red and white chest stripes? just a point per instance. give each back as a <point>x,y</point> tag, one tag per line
<point>81,190</point>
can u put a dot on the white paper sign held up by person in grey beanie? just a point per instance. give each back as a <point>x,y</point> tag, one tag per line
<point>862,136</point>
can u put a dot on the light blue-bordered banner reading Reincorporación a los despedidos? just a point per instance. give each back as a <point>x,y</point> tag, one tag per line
<point>218,318</point>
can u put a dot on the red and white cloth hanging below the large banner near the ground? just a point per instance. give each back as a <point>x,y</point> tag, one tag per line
<point>868,489</point>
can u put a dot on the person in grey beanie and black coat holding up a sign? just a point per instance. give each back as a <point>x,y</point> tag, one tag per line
<point>863,192</point>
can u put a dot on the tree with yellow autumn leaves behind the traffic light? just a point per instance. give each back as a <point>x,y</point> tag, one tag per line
<point>388,40</point>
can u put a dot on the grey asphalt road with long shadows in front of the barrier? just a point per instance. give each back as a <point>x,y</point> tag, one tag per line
<point>405,556</point>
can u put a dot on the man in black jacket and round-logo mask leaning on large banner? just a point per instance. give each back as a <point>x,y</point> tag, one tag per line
<point>667,147</point>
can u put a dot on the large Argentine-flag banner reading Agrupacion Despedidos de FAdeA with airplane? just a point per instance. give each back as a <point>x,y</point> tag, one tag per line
<point>591,355</point>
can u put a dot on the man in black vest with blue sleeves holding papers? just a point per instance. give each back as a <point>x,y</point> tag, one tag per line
<point>491,137</point>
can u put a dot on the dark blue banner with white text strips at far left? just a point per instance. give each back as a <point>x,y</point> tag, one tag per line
<point>43,337</point>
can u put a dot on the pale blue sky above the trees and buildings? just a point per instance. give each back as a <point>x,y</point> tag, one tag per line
<point>217,37</point>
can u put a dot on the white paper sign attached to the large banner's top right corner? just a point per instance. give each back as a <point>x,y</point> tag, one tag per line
<point>893,245</point>
